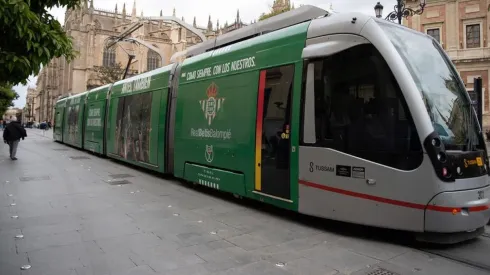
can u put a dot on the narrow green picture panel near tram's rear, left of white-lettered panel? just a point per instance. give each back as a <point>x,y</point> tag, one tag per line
<point>73,122</point>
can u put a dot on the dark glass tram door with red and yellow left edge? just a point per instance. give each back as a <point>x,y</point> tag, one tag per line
<point>273,132</point>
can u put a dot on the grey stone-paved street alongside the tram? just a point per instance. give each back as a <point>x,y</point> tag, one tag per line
<point>64,211</point>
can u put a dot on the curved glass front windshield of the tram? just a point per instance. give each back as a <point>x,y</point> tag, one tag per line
<point>444,94</point>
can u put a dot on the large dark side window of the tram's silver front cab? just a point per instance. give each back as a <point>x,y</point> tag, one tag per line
<point>360,109</point>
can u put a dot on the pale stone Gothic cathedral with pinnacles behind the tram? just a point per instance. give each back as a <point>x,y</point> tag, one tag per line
<point>90,29</point>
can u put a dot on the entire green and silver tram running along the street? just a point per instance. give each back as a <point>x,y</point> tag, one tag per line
<point>340,116</point>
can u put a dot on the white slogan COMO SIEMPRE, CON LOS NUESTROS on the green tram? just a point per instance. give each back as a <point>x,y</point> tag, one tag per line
<point>232,66</point>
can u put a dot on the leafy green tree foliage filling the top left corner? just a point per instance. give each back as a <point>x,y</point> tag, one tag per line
<point>31,37</point>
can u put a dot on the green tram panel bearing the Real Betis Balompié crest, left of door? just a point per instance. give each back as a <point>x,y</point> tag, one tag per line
<point>214,131</point>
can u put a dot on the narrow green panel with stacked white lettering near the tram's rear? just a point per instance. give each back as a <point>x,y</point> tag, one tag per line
<point>94,120</point>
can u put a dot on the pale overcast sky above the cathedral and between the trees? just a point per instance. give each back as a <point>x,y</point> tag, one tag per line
<point>218,9</point>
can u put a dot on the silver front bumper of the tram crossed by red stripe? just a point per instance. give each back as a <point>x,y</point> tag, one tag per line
<point>458,211</point>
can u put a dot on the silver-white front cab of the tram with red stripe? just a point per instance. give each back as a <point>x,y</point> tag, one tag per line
<point>389,137</point>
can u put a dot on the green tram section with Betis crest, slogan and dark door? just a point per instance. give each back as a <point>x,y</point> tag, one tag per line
<point>215,141</point>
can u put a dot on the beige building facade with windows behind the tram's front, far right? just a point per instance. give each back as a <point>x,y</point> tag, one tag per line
<point>461,26</point>
